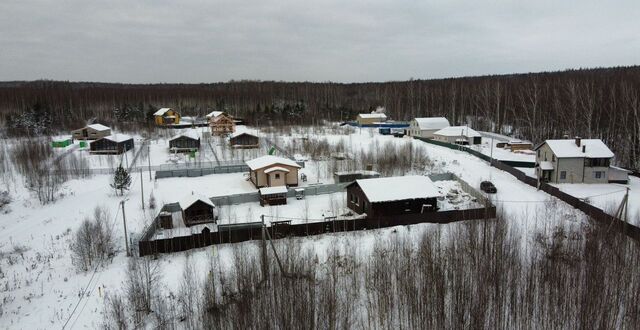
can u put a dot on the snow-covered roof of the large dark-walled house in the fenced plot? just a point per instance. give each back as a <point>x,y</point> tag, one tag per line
<point>398,188</point>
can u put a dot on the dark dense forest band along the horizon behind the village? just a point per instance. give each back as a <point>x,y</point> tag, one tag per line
<point>593,103</point>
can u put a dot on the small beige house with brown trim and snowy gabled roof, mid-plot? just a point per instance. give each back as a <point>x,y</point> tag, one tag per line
<point>273,171</point>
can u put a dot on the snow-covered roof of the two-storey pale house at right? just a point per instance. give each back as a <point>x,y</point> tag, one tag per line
<point>567,148</point>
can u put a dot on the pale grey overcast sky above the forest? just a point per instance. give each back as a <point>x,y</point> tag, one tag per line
<point>297,40</point>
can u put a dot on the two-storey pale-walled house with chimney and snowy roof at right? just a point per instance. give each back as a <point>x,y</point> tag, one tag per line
<point>573,161</point>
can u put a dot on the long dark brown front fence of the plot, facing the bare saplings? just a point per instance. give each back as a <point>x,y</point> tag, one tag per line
<point>284,229</point>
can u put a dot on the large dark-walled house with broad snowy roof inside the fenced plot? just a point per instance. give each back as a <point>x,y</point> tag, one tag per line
<point>393,196</point>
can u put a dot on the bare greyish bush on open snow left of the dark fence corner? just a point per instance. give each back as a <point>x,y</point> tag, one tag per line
<point>93,241</point>
